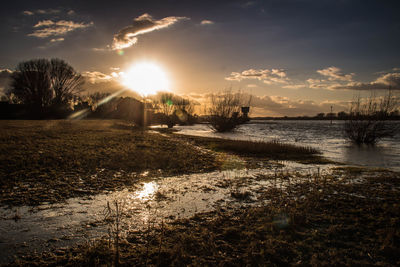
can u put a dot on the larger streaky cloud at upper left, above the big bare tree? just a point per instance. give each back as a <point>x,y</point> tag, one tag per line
<point>50,28</point>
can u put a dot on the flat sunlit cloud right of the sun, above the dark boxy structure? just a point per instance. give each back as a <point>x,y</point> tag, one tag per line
<point>267,76</point>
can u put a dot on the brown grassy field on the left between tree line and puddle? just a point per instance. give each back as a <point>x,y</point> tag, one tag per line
<point>49,161</point>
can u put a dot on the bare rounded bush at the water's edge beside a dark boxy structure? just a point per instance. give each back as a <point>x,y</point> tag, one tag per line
<point>224,111</point>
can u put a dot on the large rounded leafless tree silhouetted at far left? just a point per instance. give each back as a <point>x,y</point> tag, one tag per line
<point>44,84</point>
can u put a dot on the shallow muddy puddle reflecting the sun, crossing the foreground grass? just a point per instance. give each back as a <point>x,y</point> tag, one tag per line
<point>27,229</point>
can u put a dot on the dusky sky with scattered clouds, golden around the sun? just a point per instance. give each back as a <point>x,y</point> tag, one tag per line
<point>296,57</point>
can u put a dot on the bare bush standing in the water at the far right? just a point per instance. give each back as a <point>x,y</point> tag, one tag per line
<point>367,120</point>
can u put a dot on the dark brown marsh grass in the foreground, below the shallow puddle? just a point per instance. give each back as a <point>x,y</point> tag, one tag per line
<point>324,221</point>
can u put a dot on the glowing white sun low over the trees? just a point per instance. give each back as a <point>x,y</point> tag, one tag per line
<point>146,78</point>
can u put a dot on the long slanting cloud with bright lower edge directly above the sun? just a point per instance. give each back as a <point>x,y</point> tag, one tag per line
<point>145,23</point>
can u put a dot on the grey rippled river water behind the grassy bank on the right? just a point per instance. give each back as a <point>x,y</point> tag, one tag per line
<point>323,135</point>
